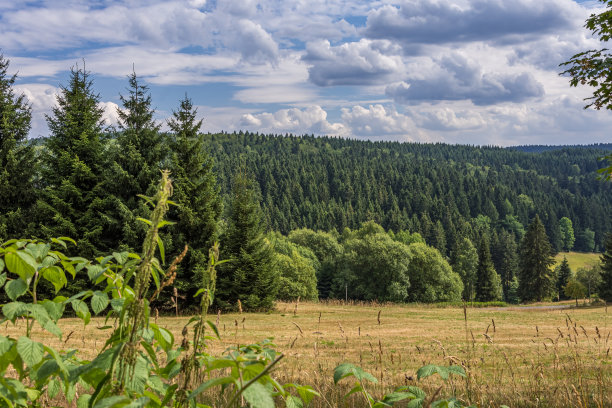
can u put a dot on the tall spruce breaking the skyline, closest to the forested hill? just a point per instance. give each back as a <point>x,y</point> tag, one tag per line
<point>197,195</point>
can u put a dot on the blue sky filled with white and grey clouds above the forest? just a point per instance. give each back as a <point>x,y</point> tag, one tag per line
<point>480,72</point>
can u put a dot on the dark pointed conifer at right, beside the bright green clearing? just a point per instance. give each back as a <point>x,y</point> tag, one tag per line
<point>536,278</point>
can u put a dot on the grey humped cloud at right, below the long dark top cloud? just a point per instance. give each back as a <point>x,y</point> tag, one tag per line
<point>459,78</point>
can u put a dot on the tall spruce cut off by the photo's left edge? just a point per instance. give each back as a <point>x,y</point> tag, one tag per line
<point>17,163</point>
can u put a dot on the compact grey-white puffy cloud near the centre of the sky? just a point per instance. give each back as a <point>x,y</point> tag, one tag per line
<point>358,63</point>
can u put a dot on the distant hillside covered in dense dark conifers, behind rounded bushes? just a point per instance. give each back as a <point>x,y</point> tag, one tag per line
<point>442,191</point>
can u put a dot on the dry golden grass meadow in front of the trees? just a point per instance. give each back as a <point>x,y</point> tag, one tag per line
<point>514,356</point>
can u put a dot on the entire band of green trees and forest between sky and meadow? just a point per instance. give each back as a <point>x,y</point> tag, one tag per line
<point>297,217</point>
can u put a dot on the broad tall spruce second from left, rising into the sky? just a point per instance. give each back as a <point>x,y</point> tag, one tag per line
<point>73,164</point>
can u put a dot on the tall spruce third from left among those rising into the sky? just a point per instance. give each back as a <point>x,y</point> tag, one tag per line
<point>139,156</point>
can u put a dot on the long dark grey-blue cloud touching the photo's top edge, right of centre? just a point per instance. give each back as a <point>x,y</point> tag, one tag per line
<point>437,21</point>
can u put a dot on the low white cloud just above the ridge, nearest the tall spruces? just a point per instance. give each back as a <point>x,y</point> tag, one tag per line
<point>298,121</point>
